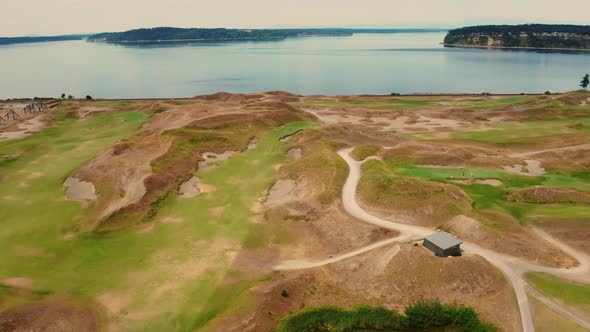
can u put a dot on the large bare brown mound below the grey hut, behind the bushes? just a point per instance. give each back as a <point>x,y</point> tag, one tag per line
<point>393,277</point>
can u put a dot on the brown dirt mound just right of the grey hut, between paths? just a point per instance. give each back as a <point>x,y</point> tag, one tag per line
<point>512,240</point>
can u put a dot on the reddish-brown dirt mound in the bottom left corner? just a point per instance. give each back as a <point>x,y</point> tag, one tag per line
<point>51,316</point>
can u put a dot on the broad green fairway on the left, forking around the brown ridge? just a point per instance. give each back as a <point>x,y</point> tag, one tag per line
<point>163,277</point>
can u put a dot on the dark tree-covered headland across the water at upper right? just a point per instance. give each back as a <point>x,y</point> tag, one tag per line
<point>526,36</point>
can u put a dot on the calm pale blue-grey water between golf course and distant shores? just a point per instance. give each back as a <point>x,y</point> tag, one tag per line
<point>361,64</point>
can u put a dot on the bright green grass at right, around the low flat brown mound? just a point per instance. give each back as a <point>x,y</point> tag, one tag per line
<point>487,197</point>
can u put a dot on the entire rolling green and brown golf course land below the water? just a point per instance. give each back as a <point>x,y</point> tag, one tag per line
<point>229,212</point>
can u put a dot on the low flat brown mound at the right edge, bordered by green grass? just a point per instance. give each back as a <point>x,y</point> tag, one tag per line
<point>540,194</point>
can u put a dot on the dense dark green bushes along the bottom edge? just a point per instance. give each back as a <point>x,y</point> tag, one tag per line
<point>422,316</point>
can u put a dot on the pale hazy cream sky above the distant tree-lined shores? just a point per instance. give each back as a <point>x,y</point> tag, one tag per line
<point>47,17</point>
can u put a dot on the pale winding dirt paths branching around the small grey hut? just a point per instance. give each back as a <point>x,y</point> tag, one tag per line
<point>513,268</point>
